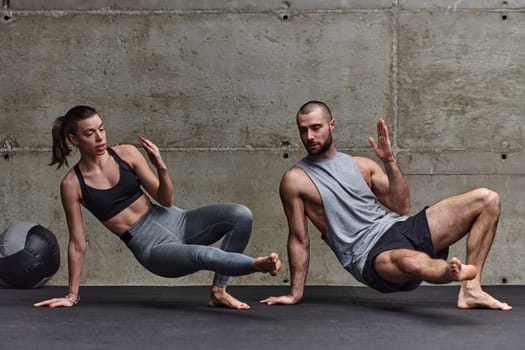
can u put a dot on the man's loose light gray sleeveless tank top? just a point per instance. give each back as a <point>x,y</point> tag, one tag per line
<point>355,218</point>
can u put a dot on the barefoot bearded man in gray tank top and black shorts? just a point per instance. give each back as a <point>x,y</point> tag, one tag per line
<point>344,197</point>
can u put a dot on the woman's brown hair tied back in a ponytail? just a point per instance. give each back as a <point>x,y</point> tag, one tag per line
<point>62,127</point>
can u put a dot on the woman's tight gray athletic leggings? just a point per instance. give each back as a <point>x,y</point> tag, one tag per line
<point>171,242</point>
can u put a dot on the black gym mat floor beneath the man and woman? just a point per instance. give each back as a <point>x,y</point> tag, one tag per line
<point>327,318</point>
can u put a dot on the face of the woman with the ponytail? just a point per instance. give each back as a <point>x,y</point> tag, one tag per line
<point>90,136</point>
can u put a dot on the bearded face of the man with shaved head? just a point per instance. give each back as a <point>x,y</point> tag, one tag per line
<point>315,130</point>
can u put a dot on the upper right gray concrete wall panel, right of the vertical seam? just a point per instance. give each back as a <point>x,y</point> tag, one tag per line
<point>461,78</point>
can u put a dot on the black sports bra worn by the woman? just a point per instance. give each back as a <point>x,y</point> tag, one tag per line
<point>107,203</point>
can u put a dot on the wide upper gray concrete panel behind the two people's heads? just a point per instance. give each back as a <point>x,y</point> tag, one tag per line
<point>194,81</point>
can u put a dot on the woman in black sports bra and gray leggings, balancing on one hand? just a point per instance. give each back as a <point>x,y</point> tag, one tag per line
<point>166,240</point>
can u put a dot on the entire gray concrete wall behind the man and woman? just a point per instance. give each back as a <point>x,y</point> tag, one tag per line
<point>216,85</point>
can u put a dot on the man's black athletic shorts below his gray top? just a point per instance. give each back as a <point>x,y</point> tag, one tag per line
<point>412,233</point>
